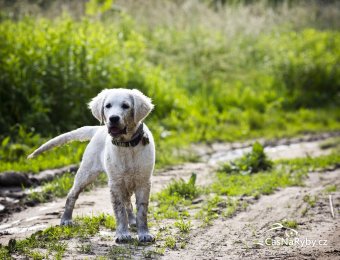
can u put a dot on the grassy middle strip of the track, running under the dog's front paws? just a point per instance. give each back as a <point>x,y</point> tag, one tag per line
<point>177,209</point>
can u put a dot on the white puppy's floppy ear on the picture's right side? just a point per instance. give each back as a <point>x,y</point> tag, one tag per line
<point>142,105</point>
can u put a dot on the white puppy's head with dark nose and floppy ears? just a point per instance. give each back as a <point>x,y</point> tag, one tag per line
<point>121,110</point>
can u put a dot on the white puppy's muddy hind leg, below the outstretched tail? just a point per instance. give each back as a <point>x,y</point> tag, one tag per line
<point>83,178</point>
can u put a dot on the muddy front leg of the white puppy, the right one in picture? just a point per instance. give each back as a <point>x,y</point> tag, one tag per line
<point>142,201</point>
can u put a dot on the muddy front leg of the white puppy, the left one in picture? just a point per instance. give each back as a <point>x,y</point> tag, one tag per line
<point>118,199</point>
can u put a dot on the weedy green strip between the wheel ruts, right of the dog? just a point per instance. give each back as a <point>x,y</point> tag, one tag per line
<point>222,197</point>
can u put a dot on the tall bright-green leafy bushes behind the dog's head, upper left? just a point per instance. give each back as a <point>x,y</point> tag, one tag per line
<point>49,69</point>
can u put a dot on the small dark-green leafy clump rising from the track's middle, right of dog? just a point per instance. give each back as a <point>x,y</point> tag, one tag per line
<point>253,162</point>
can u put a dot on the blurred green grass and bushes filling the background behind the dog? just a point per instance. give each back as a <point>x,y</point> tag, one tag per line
<point>212,76</point>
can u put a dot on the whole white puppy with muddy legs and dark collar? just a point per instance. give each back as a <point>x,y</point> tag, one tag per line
<point>123,148</point>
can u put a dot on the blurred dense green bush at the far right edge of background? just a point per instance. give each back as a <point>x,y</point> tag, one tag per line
<point>306,65</point>
